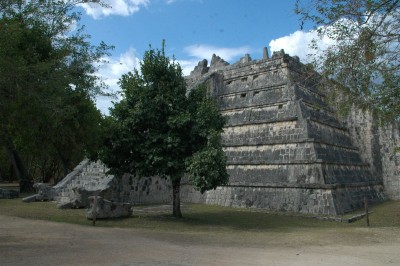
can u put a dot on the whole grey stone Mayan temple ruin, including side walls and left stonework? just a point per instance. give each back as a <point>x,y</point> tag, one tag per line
<point>286,148</point>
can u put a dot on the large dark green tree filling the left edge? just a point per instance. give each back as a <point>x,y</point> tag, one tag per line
<point>47,86</point>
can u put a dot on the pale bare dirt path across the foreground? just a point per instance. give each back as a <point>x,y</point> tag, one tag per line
<point>33,242</point>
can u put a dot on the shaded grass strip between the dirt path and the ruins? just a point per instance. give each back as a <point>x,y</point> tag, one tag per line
<point>199,218</point>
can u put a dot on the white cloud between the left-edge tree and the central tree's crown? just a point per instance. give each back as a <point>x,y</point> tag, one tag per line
<point>112,71</point>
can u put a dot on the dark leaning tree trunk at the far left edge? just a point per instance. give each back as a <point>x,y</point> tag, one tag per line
<point>25,181</point>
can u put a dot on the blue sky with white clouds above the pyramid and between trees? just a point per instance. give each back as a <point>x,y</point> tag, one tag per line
<point>193,30</point>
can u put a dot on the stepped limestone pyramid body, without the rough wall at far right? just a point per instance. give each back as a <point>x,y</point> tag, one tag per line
<point>286,149</point>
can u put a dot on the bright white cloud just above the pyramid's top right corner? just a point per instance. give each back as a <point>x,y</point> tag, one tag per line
<point>298,43</point>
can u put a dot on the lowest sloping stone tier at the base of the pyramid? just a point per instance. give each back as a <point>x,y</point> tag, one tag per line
<point>327,201</point>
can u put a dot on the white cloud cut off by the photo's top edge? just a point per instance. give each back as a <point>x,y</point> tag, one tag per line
<point>115,7</point>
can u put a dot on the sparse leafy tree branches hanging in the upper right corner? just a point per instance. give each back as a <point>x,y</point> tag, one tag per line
<point>365,57</point>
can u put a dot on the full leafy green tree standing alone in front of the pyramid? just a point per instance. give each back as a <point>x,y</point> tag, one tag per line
<point>160,129</point>
